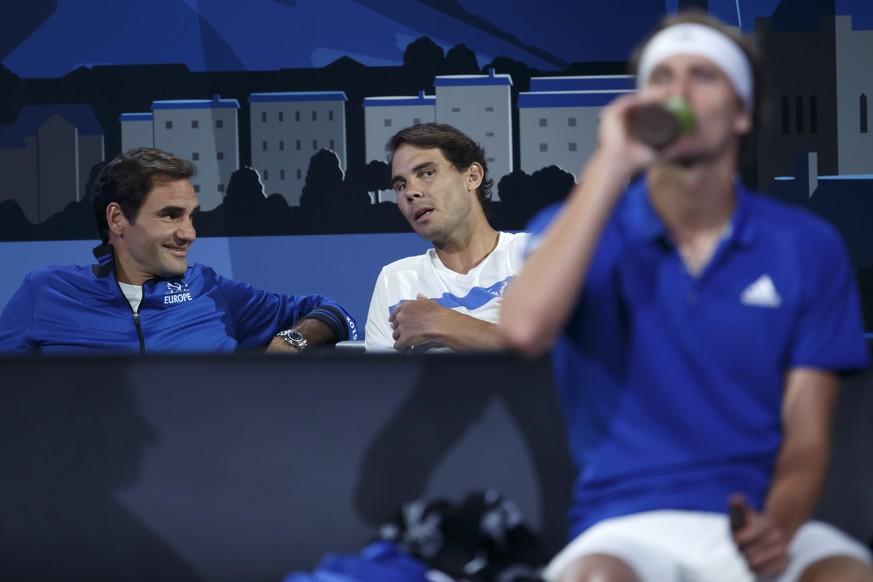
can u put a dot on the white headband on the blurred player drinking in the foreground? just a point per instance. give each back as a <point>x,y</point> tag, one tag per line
<point>689,38</point>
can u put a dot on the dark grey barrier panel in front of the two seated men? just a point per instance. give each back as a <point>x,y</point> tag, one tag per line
<point>247,467</point>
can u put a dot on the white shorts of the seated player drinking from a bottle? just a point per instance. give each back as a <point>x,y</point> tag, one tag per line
<point>686,546</point>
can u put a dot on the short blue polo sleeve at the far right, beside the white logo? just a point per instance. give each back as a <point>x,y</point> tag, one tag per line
<point>830,330</point>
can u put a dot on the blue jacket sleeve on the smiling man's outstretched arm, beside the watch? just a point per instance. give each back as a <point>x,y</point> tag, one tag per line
<point>257,314</point>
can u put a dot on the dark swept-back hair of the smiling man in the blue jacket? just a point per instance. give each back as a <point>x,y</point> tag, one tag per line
<point>130,177</point>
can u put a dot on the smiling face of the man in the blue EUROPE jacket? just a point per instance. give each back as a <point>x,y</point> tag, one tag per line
<point>156,242</point>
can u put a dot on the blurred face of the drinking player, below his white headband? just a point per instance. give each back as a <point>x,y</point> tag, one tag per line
<point>720,117</point>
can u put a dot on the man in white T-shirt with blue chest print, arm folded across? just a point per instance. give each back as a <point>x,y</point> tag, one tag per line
<point>449,297</point>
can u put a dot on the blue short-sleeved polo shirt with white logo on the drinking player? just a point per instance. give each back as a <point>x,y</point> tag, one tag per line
<point>671,384</point>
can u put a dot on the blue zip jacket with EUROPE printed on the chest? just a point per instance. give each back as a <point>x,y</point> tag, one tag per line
<point>79,309</point>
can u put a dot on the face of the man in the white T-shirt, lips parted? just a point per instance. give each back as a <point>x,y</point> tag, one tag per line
<point>438,200</point>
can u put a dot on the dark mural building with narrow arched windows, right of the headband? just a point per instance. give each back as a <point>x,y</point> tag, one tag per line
<point>820,87</point>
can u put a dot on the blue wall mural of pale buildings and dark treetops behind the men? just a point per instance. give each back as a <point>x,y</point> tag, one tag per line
<point>285,105</point>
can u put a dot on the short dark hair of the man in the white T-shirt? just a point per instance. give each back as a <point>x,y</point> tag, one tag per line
<point>457,147</point>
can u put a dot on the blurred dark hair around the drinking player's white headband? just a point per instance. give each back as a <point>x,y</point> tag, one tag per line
<point>697,16</point>
